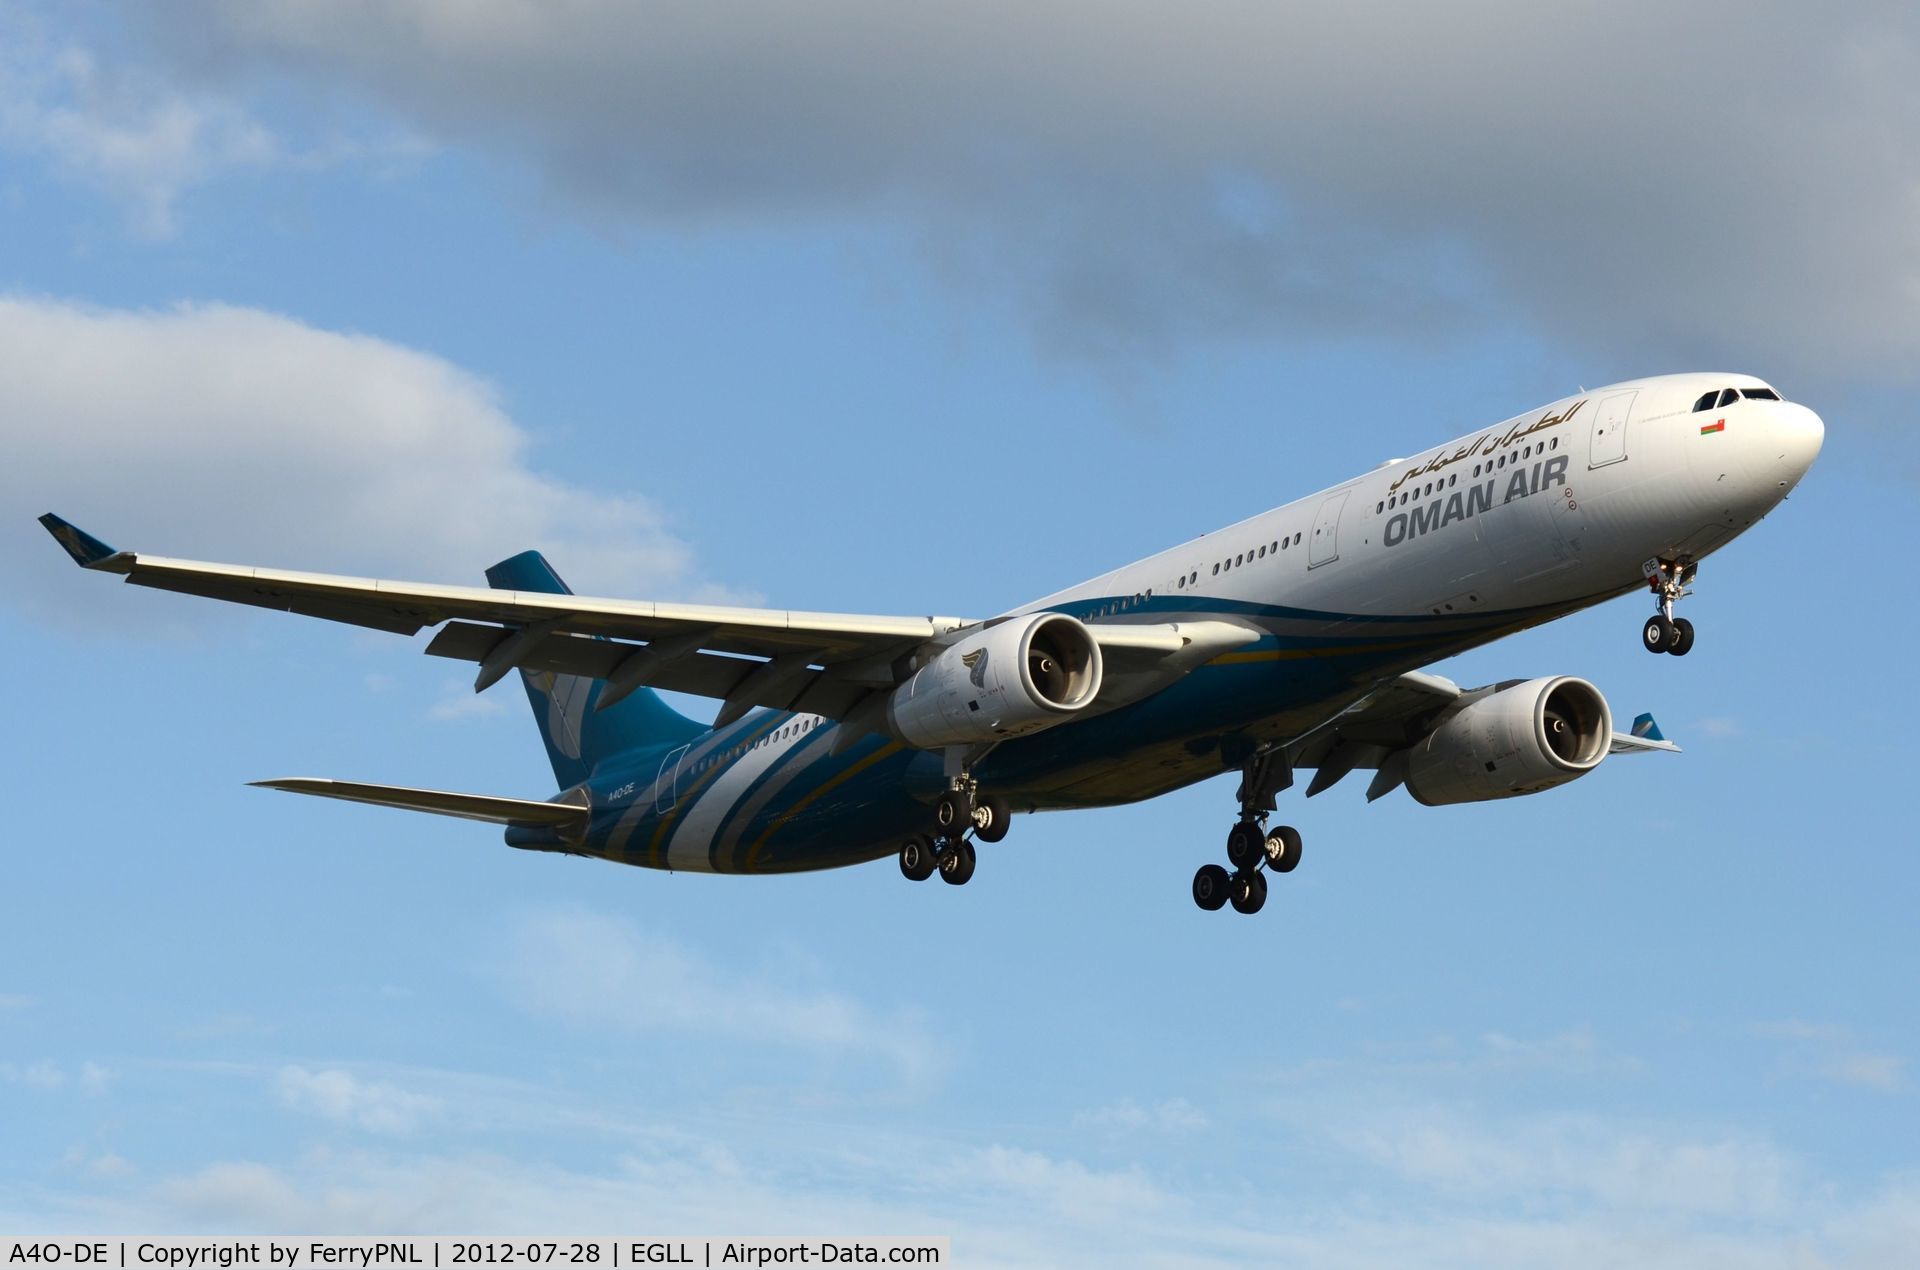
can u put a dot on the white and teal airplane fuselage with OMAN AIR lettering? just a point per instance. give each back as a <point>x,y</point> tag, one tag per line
<point>1422,558</point>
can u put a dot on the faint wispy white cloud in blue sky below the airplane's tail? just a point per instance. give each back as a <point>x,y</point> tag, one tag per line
<point>606,973</point>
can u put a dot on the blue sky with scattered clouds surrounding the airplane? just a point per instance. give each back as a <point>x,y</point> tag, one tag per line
<point>878,310</point>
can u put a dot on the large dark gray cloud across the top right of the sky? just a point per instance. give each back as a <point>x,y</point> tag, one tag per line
<point>1652,185</point>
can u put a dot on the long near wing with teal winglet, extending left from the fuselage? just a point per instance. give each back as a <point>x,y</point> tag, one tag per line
<point>823,664</point>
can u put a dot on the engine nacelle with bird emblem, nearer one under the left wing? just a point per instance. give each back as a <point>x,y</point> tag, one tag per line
<point>1019,677</point>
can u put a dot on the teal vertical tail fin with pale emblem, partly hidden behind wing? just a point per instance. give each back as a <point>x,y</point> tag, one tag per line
<point>581,739</point>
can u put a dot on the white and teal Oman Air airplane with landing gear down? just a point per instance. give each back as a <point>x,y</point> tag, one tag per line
<point>1287,643</point>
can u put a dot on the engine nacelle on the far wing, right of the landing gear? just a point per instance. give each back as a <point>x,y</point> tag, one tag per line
<point>1522,739</point>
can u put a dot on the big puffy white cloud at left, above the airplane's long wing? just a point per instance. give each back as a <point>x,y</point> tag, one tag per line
<point>241,435</point>
